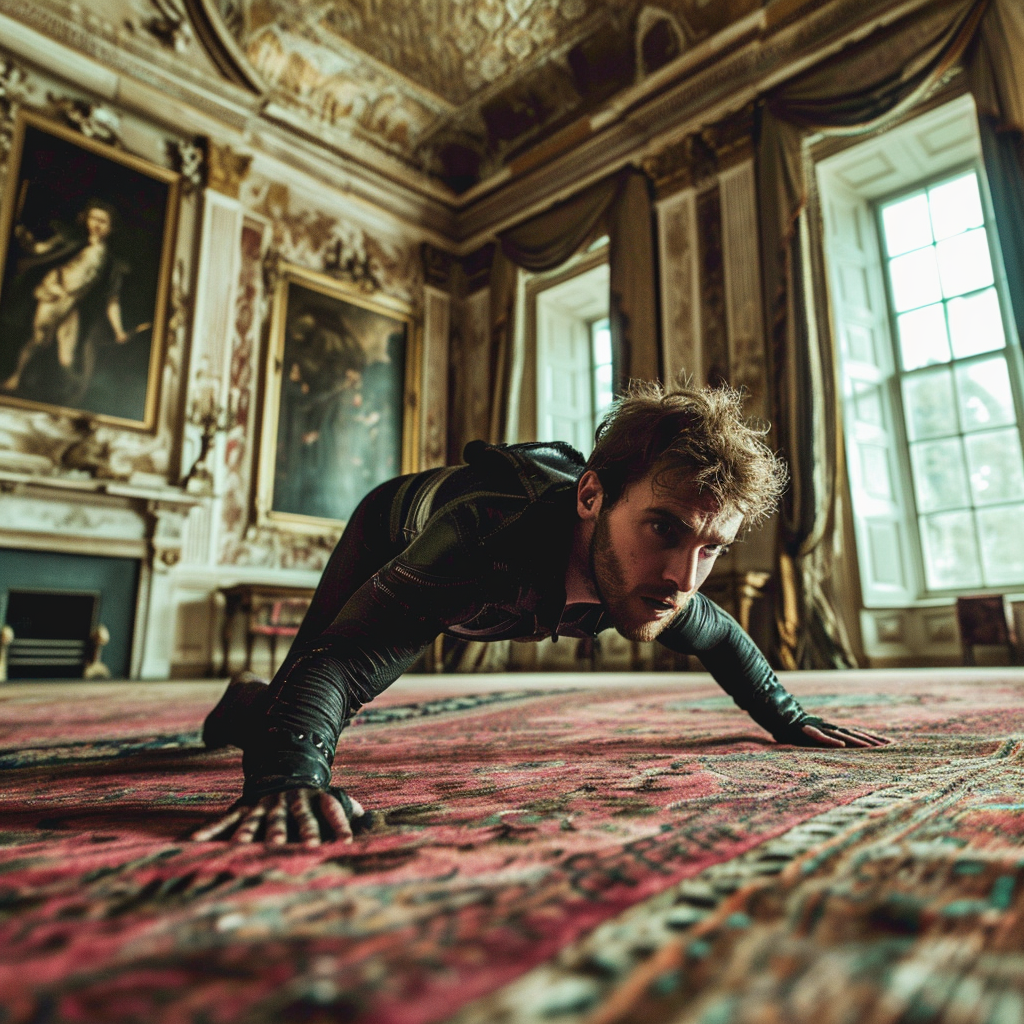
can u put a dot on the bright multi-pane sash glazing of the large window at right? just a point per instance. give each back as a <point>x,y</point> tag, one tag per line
<point>960,395</point>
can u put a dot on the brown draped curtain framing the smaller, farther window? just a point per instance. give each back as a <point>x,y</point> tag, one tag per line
<point>619,206</point>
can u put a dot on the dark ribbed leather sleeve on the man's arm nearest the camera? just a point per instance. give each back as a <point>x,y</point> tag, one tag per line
<point>378,634</point>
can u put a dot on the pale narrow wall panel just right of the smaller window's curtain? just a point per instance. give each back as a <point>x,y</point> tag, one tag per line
<point>680,286</point>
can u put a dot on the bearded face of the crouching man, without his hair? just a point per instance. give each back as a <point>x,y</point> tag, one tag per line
<point>653,550</point>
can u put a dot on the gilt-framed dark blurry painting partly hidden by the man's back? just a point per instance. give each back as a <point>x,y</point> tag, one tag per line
<point>340,401</point>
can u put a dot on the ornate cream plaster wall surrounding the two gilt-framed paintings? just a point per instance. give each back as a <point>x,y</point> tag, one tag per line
<point>74,485</point>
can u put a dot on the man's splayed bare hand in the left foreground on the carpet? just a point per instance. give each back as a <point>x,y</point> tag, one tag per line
<point>274,814</point>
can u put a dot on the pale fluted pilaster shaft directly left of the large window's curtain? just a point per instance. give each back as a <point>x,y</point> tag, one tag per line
<point>742,258</point>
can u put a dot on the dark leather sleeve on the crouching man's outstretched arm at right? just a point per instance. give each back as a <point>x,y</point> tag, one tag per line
<point>738,666</point>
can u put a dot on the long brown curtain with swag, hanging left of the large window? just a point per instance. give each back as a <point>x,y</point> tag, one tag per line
<point>852,94</point>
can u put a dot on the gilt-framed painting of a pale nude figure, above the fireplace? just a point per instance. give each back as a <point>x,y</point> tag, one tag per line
<point>88,235</point>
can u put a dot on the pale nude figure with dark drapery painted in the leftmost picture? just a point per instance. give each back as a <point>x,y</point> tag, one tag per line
<point>76,286</point>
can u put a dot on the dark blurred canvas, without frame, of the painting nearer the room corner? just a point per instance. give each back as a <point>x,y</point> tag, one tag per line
<point>343,374</point>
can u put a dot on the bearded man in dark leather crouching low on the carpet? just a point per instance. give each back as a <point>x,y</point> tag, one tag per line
<point>521,543</point>
